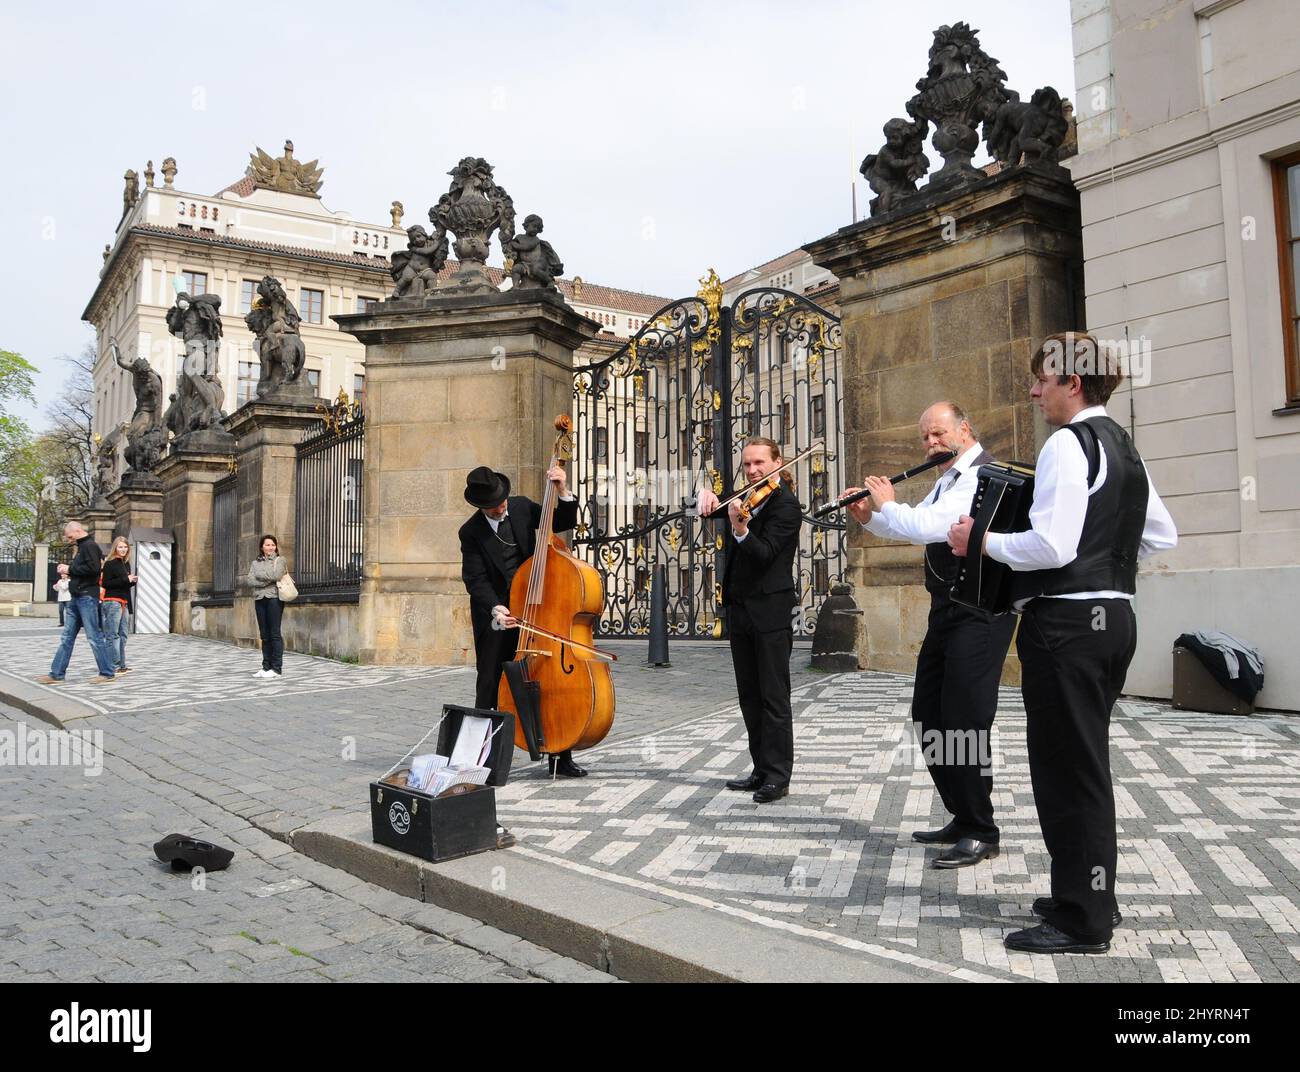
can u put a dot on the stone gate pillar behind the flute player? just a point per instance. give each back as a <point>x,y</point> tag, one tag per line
<point>946,298</point>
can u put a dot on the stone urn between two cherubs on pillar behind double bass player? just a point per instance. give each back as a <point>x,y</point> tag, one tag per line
<point>473,209</point>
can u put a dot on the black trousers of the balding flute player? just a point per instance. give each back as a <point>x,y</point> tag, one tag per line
<point>954,704</point>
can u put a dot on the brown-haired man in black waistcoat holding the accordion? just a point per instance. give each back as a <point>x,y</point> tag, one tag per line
<point>1095,511</point>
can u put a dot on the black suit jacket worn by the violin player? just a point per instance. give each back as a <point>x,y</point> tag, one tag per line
<point>760,571</point>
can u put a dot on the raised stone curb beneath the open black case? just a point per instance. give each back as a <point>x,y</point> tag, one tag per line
<point>629,935</point>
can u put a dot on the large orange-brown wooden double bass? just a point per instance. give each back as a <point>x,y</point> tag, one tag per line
<point>560,685</point>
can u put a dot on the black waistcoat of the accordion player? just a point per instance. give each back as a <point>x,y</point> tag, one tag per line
<point>1112,528</point>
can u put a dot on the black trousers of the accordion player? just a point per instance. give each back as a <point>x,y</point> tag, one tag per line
<point>1074,658</point>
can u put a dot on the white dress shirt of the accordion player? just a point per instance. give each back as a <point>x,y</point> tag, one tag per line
<point>1060,505</point>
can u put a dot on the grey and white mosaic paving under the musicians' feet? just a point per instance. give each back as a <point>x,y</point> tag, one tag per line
<point>1210,837</point>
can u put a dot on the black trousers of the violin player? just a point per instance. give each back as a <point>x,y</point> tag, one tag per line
<point>762,663</point>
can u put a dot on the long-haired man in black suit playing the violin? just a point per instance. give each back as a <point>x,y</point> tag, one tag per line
<point>761,601</point>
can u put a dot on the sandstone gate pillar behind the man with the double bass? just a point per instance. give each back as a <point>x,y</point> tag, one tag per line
<point>450,384</point>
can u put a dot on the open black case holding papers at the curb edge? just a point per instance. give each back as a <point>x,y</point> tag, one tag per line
<point>443,828</point>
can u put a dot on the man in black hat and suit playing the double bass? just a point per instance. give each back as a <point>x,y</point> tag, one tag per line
<point>495,544</point>
